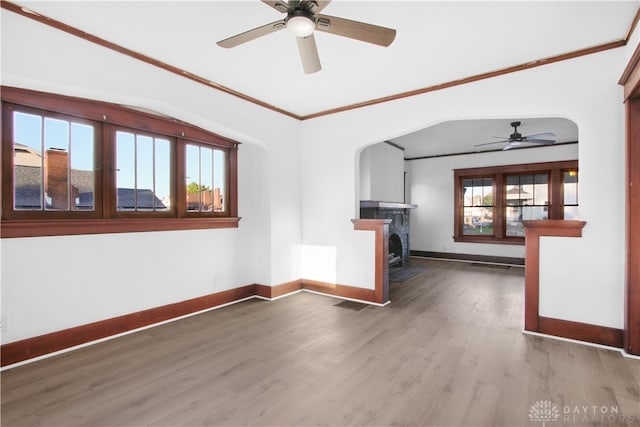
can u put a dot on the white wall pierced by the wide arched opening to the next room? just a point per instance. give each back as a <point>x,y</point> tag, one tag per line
<point>584,90</point>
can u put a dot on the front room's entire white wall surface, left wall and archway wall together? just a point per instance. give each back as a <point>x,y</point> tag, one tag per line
<point>299,188</point>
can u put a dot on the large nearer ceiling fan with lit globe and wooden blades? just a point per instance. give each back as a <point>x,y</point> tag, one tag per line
<point>303,17</point>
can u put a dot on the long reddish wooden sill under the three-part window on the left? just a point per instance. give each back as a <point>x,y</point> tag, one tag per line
<point>68,227</point>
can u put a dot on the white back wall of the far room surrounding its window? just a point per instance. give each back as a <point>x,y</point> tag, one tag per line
<point>431,183</point>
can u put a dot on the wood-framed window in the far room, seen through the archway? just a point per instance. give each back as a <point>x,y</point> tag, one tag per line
<point>492,203</point>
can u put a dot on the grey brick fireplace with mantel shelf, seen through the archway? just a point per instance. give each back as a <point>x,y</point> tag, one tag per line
<point>398,213</point>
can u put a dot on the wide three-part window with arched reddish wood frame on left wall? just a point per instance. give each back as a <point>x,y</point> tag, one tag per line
<point>73,166</point>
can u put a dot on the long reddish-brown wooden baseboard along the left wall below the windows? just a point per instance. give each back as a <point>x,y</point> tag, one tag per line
<point>29,348</point>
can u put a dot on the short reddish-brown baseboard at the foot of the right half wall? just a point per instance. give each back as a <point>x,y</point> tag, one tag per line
<point>586,332</point>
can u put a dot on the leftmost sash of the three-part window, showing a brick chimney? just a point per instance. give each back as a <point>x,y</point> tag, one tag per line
<point>53,170</point>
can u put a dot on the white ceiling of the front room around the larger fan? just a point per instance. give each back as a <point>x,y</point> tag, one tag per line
<point>436,42</point>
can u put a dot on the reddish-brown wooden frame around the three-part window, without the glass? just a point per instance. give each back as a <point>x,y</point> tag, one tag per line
<point>104,220</point>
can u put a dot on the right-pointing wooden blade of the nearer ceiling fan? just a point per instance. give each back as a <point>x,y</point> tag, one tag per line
<point>369,33</point>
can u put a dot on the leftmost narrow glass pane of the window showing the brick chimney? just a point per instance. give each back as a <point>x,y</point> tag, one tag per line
<point>27,174</point>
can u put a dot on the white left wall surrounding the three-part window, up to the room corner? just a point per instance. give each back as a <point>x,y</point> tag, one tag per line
<point>52,283</point>
